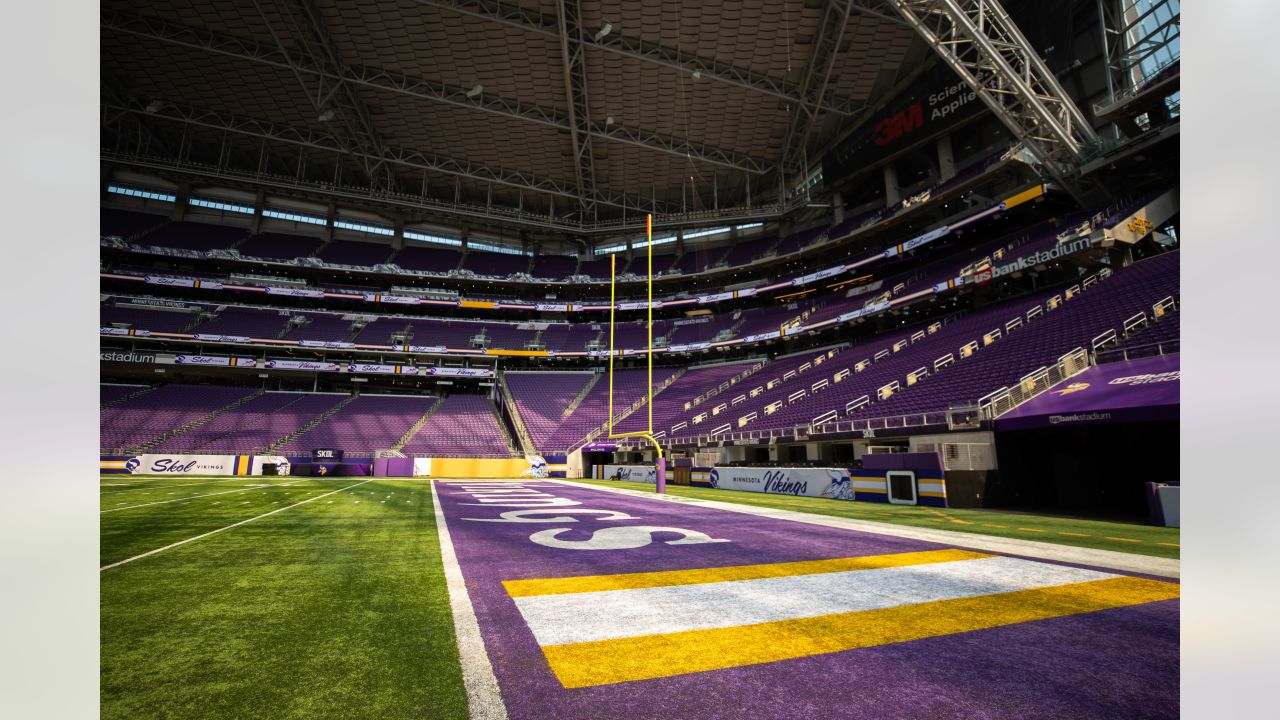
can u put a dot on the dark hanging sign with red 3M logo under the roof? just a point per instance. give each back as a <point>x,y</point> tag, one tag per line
<point>938,101</point>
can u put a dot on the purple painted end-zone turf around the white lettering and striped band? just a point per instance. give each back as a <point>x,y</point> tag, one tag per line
<point>1119,663</point>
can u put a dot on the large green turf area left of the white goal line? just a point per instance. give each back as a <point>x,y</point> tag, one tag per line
<point>332,609</point>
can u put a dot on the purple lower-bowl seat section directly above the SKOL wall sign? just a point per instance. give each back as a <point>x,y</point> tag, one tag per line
<point>369,423</point>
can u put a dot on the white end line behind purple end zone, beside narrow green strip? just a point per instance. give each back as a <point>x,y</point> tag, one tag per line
<point>1126,562</point>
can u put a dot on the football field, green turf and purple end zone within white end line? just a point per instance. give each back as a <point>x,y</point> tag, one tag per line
<point>252,598</point>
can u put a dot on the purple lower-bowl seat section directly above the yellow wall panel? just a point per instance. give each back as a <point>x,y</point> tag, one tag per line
<point>463,426</point>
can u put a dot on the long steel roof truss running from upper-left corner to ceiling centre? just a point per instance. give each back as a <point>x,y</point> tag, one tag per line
<point>188,37</point>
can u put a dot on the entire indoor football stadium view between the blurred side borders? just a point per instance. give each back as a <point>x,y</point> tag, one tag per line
<point>412,309</point>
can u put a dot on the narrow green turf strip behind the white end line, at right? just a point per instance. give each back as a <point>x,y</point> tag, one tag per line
<point>1123,537</point>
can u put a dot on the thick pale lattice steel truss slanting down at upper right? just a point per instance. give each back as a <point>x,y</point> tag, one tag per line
<point>980,42</point>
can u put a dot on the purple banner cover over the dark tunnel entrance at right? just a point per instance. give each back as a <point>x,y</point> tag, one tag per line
<point>1137,391</point>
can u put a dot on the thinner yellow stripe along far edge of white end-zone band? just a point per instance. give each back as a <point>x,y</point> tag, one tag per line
<point>632,581</point>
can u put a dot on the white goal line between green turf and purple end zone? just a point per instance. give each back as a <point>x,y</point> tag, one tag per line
<point>484,698</point>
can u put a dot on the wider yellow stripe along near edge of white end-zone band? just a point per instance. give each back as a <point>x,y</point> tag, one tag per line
<point>623,660</point>
